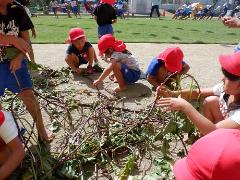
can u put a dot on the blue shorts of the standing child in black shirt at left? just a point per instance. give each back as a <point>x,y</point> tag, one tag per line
<point>8,79</point>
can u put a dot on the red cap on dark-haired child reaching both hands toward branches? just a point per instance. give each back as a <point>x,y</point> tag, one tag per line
<point>231,63</point>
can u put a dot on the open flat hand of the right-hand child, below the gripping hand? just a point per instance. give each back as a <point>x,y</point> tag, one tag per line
<point>177,104</point>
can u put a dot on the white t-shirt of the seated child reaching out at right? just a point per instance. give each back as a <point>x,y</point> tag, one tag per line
<point>234,115</point>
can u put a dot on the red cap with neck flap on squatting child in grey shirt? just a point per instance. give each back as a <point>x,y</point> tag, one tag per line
<point>108,41</point>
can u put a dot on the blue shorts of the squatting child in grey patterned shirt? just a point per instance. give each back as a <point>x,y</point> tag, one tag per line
<point>130,75</point>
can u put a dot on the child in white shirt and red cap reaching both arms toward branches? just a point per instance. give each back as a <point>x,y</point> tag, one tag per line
<point>221,108</point>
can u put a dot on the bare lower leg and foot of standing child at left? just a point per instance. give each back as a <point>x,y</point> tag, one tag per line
<point>33,107</point>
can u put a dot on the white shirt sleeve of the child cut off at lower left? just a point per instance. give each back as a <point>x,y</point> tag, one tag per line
<point>8,128</point>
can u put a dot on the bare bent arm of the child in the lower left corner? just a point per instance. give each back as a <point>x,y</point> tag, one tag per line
<point>16,156</point>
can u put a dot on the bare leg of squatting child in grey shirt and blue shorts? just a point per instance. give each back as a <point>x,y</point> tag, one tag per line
<point>118,74</point>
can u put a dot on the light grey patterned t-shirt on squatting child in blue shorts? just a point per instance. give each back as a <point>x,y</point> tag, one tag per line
<point>127,59</point>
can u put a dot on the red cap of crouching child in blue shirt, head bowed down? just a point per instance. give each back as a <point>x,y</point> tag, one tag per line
<point>172,58</point>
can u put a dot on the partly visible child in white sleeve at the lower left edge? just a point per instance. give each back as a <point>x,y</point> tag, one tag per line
<point>11,148</point>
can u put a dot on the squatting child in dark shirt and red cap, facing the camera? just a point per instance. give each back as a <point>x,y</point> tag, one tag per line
<point>80,51</point>
